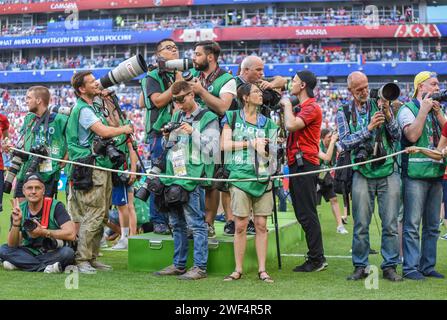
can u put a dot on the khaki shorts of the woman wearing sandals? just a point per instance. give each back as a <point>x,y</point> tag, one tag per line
<point>243,204</point>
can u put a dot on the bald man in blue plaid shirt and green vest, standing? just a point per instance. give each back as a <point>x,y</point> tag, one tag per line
<point>367,121</point>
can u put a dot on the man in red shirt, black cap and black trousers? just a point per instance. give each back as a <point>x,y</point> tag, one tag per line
<point>302,153</point>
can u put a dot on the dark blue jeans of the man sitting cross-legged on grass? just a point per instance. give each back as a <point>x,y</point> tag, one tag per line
<point>26,261</point>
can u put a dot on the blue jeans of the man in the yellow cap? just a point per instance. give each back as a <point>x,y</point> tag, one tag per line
<point>422,203</point>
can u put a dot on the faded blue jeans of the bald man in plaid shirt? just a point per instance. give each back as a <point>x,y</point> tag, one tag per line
<point>388,198</point>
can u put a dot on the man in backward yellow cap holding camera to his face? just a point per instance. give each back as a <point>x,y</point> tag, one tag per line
<point>421,121</point>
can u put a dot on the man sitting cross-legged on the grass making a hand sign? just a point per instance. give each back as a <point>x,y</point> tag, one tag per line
<point>26,248</point>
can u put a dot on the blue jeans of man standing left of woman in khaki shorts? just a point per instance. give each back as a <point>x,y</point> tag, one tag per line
<point>193,217</point>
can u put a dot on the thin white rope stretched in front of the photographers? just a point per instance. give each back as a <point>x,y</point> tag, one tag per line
<point>216,179</point>
